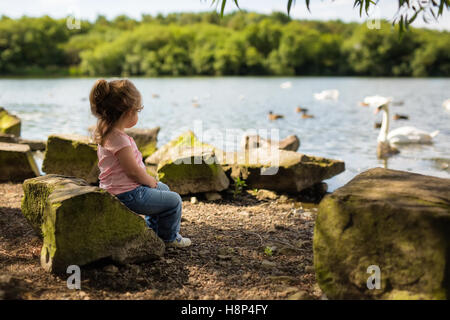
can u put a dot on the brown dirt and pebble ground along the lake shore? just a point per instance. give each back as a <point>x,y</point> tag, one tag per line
<point>243,248</point>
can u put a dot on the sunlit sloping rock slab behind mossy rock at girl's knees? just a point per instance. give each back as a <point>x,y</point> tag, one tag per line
<point>184,141</point>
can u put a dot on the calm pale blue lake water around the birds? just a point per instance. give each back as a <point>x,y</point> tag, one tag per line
<point>341,129</point>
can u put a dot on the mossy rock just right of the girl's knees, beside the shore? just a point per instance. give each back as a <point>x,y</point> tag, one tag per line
<point>188,173</point>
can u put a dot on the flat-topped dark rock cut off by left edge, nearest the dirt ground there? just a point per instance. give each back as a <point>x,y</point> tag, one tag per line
<point>16,162</point>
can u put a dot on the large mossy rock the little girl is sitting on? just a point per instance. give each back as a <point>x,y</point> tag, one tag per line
<point>81,224</point>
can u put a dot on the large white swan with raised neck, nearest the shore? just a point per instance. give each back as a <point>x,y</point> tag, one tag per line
<point>402,135</point>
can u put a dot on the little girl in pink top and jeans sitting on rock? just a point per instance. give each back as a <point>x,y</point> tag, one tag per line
<point>122,172</point>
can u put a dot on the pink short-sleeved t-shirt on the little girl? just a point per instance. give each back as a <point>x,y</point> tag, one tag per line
<point>112,177</point>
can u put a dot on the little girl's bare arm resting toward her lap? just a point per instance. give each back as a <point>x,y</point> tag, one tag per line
<point>133,170</point>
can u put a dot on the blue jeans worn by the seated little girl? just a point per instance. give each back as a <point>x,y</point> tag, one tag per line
<point>161,207</point>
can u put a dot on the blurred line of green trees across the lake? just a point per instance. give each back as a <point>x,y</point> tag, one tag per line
<point>240,43</point>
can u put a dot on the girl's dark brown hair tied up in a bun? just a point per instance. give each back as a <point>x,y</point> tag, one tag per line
<point>109,100</point>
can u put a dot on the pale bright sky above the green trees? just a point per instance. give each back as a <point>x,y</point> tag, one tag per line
<point>89,9</point>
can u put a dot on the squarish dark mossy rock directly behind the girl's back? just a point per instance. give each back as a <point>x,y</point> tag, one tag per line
<point>71,155</point>
